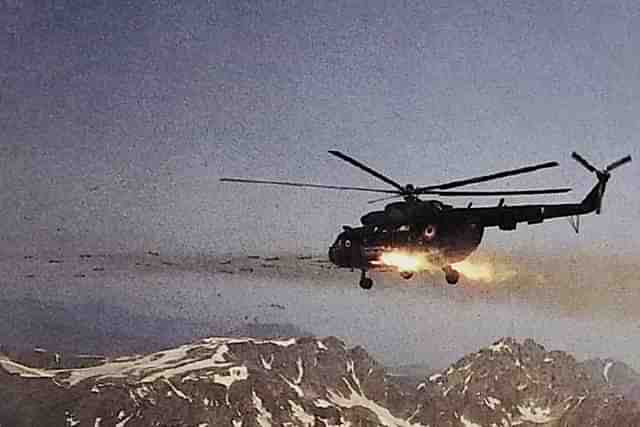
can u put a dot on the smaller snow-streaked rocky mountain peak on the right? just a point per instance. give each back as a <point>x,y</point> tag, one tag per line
<point>511,383</point>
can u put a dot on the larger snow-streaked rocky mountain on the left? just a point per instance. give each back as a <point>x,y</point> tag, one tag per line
<point>215,382</point>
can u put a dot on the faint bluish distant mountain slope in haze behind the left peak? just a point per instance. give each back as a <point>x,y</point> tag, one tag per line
<point>92,327</point>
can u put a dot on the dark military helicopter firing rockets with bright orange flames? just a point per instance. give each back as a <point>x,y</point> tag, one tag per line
<point>435,232</point>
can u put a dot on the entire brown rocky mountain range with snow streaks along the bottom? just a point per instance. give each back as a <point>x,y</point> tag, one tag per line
<point>312,382</point>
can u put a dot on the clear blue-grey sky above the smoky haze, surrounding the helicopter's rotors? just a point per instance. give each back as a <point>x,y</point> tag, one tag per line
<point>118,118</point>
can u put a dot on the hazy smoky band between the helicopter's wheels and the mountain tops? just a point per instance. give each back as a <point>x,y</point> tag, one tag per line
<point>172,300</point>
